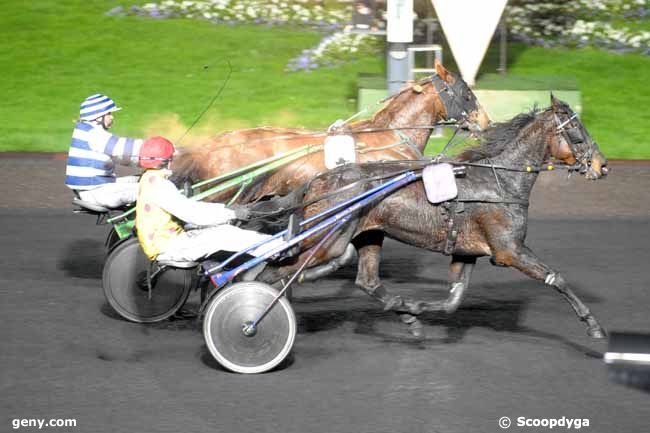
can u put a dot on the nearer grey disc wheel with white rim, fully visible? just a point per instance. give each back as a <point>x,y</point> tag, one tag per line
<point>229,337</point>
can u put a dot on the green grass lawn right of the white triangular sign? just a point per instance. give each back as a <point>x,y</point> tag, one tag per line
<point>615,93</point>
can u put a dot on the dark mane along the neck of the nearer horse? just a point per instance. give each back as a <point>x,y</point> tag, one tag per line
<point>497,137</point>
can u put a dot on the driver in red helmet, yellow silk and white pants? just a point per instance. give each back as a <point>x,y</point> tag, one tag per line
<point>160,207</point>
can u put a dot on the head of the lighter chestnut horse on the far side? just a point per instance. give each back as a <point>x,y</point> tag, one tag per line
<point>459,101</point>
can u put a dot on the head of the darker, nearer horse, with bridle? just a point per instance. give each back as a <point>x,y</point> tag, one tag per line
<point>572,143</point>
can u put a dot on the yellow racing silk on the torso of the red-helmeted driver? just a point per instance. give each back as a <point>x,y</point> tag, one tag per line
<point>156,228</point>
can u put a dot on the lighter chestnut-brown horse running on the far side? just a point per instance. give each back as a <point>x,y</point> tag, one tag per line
<point>400,130</point>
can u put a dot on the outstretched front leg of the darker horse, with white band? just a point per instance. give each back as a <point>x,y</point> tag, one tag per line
<point>527,262</point>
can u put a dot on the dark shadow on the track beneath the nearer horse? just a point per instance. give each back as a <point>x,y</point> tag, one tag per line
<point>501,312</point>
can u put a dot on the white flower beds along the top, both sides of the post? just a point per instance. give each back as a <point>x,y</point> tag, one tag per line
<point>549,23</point>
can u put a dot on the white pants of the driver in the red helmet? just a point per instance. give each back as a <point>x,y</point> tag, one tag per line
<point>192,245</point>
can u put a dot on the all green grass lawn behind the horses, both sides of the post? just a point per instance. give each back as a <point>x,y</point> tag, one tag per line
<point>54,54</point>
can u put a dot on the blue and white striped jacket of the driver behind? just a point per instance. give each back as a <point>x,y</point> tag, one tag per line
<point>91,155</point>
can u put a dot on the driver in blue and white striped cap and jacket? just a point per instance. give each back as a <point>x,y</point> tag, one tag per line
<point>90,169</point>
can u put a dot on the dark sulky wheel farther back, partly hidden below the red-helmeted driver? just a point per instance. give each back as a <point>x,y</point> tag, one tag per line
<point>125,285</point>
